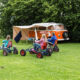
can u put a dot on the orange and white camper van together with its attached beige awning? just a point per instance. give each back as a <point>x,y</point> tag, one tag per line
<point>36,30</point>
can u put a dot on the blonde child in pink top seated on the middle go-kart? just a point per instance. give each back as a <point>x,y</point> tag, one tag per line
<point>40,43</point>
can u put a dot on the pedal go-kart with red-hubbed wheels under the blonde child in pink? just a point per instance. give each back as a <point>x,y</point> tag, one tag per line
<point>38,50</point>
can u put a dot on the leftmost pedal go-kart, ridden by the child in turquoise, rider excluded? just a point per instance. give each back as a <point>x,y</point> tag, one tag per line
<point>8,49</point>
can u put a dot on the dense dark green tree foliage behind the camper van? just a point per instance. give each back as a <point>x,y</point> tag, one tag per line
<point>26,12</point>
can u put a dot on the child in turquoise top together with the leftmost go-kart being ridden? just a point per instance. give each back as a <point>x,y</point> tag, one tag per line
<point>7,46</point>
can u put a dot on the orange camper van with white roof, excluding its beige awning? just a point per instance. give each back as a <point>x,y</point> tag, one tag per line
<point>48,28</point>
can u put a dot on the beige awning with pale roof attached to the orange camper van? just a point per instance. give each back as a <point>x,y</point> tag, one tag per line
<point>25,30</point>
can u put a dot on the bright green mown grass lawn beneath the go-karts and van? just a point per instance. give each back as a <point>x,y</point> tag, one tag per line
<point>64,65</point>
